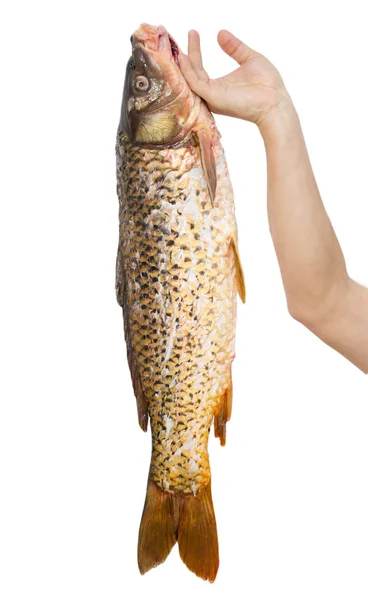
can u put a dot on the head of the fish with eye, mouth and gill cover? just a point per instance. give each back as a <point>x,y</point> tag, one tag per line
<point>158,107</point>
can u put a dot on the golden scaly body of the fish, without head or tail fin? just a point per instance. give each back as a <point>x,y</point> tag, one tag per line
<point>180,287</point>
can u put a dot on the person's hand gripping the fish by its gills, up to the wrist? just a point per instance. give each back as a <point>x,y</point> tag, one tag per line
<point>254,91</point>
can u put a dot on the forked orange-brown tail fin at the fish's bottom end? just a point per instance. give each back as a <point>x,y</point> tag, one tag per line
<point>190,520</point>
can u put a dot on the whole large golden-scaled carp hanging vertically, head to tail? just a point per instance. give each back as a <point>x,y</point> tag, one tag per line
<point>177,274</point>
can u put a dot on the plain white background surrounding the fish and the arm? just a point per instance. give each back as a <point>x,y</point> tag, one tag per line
<point>291,486</point>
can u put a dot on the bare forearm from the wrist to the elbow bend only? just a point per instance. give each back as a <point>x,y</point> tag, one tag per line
<point>310,258</point>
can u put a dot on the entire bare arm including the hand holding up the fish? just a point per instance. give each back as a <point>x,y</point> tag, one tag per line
<point>319,292</point>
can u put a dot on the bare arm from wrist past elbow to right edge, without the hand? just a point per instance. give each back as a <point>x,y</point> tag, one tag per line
<point>319,292</point>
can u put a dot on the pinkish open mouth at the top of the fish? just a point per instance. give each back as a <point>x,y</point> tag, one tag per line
<point>156,39</point>
